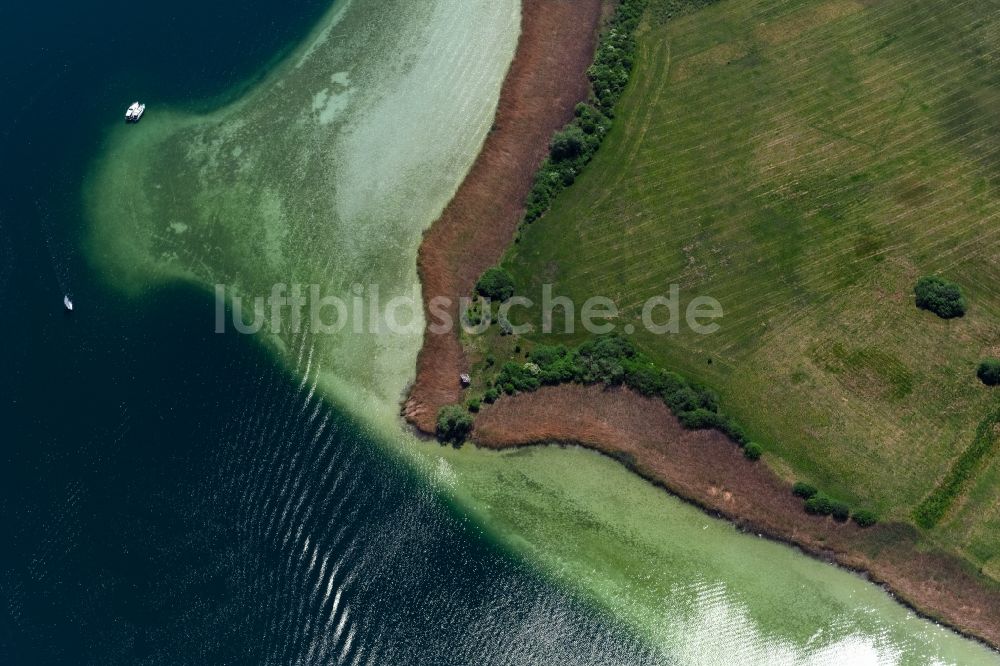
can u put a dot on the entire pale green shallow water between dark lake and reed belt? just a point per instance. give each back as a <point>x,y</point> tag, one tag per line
<point>327,173</point>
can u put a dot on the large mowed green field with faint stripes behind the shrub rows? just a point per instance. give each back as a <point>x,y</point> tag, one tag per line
<point>804,162</point>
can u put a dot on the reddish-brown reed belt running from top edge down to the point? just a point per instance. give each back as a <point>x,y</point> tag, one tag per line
<point>546,80</point>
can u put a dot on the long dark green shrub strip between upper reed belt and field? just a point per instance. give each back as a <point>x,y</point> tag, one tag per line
<point>574,146</point>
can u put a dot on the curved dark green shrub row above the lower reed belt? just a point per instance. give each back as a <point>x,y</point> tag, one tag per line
<point>614,361</point>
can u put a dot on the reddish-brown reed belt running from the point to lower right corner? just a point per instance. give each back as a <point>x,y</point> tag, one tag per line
<point>705,468</point>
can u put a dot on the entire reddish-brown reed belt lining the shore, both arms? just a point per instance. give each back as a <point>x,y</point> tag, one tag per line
<point>545,81</point>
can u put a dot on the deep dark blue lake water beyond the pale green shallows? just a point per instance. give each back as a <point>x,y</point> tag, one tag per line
<point>171,496</point>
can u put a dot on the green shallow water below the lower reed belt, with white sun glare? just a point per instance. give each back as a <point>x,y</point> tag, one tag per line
<point>693,585</point>
